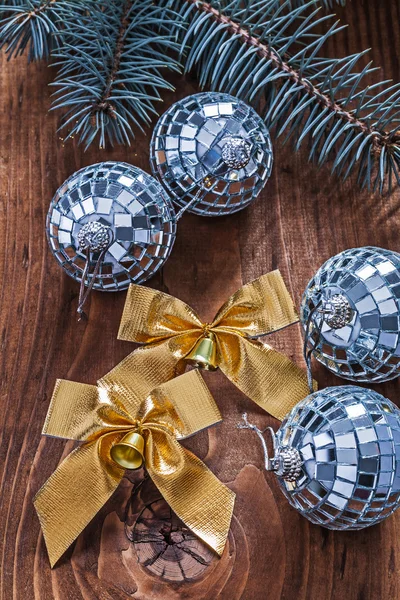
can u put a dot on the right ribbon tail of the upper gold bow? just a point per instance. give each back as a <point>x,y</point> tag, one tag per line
<point>265,375</point>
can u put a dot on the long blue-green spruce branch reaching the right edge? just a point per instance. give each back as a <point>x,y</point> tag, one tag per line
<point>248,52</point>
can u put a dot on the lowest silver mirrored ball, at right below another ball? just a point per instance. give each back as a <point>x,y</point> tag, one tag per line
<point>347,441</point>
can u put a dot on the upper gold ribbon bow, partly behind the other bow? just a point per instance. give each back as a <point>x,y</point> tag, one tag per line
<point>171,329</point>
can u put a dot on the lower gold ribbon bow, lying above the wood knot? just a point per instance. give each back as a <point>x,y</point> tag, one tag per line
<point>100,418</point>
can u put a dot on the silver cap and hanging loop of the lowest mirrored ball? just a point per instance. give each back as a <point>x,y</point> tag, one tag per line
<point>286,461</point>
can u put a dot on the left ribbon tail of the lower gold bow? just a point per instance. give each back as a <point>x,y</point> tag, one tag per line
<point>73,495</point>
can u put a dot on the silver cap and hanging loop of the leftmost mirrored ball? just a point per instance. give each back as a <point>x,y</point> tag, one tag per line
<point>92,237</point>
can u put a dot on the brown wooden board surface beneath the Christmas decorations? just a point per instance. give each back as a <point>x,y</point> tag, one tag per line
<point>302,218</point>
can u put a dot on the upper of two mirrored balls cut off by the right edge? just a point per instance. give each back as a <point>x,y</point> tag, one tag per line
<point>351,314</point>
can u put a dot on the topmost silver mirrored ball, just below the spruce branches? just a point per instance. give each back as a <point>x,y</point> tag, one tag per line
<point>211,150</point>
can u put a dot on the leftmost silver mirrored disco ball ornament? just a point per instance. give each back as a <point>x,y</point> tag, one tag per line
<point>116,209</point>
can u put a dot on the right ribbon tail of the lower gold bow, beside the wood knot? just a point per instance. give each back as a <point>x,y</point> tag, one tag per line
<point>193,492</point>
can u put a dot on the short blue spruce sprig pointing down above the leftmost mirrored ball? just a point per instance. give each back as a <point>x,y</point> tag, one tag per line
<point>110,68</point>
